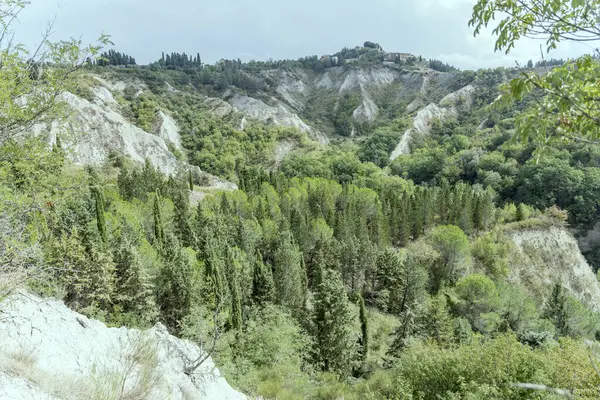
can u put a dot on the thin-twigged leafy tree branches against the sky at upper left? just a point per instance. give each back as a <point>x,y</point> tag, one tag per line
<point>31,83</point>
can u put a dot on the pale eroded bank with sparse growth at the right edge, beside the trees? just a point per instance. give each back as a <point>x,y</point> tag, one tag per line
<point>541,257</point>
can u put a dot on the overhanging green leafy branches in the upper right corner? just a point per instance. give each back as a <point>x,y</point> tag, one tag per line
<point>566,103</point>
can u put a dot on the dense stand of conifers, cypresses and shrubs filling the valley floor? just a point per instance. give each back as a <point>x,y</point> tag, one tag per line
<point>285,258</point>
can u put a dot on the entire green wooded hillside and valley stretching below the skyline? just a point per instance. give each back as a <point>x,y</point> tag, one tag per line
<point>332,271</point>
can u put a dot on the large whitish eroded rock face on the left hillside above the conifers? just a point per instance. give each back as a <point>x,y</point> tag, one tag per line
<point>96,129</point>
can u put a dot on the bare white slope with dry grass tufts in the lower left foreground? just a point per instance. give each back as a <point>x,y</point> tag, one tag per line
<point>48,351</point>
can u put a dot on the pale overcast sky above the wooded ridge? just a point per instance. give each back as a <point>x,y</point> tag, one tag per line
<point>278,29</point>
